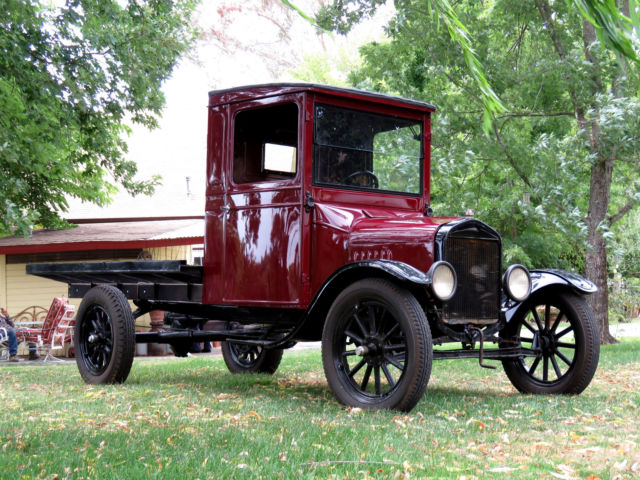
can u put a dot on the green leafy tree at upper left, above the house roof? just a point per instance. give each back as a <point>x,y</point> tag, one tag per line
<point>71,79</point>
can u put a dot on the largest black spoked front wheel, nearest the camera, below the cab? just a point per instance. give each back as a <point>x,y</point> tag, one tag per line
<point>389,323</point>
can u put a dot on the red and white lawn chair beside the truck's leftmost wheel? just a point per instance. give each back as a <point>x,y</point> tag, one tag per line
<point>57,328</point>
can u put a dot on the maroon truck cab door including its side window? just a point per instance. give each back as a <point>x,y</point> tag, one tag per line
<point>263,211</point>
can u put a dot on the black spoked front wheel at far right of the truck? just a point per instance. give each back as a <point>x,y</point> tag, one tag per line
<point>545,324</point>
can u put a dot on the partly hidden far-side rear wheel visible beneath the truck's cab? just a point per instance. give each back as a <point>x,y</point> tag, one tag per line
<point>241,358</point>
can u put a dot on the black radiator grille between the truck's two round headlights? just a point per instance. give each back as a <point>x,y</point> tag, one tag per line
<point>477,265</point>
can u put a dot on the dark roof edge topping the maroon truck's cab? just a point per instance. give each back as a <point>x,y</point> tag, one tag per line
<point>253,92</point>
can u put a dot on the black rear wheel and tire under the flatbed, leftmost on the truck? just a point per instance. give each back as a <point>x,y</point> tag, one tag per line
<point>105,337</point>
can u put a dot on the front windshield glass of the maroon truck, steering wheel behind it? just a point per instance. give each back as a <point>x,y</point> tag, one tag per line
<point>363,150</point>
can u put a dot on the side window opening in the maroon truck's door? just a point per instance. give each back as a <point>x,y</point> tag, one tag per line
<point>265,144</point>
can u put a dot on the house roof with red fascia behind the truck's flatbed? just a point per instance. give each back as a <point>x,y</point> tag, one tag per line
<point>107,234</point>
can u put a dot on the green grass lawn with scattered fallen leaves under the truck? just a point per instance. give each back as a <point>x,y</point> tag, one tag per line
<point>190,418</point>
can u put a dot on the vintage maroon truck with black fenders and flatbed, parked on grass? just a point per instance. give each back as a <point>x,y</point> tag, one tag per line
<point>318,227</point>
